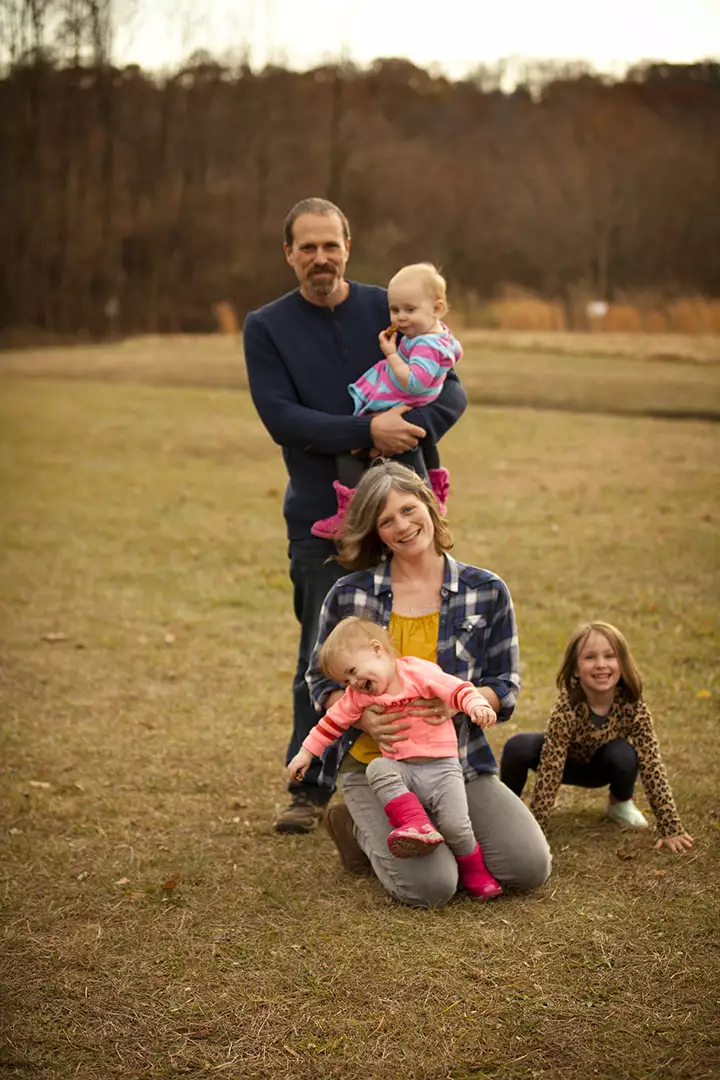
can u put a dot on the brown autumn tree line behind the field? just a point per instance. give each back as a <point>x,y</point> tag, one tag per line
<point>133,204</point>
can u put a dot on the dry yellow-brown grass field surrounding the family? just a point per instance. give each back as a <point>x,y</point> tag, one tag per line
<point>154,925</point>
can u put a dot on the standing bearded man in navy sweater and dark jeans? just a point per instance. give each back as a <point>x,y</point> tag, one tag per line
<point>303,352</point>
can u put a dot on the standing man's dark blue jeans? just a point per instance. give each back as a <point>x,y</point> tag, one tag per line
<point>313,576</point>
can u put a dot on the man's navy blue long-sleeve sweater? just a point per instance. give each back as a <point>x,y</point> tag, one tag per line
<point>301,360</point>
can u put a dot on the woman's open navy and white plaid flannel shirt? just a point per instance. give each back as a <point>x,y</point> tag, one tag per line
<point>477,642</point>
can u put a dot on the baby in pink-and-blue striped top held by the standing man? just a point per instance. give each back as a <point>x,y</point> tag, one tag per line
<point>412,374</point>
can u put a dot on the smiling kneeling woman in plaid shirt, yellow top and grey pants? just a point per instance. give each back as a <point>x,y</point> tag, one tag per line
<point>458,616</point>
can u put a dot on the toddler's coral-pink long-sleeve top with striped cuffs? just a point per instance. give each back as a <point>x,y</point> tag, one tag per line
<point>420,679</point>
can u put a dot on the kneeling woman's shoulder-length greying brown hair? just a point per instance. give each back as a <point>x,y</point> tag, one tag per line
<point>361,548</point>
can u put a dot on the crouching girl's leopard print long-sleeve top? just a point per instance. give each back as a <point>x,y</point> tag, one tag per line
<point>572,735</point>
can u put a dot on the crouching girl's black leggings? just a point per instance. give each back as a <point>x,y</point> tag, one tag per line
<point>615,765</point>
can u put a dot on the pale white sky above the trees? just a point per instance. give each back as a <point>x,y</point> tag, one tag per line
<point>452,35</point>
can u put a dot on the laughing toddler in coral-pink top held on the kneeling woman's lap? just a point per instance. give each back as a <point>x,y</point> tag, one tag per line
<point>423,773</point>
